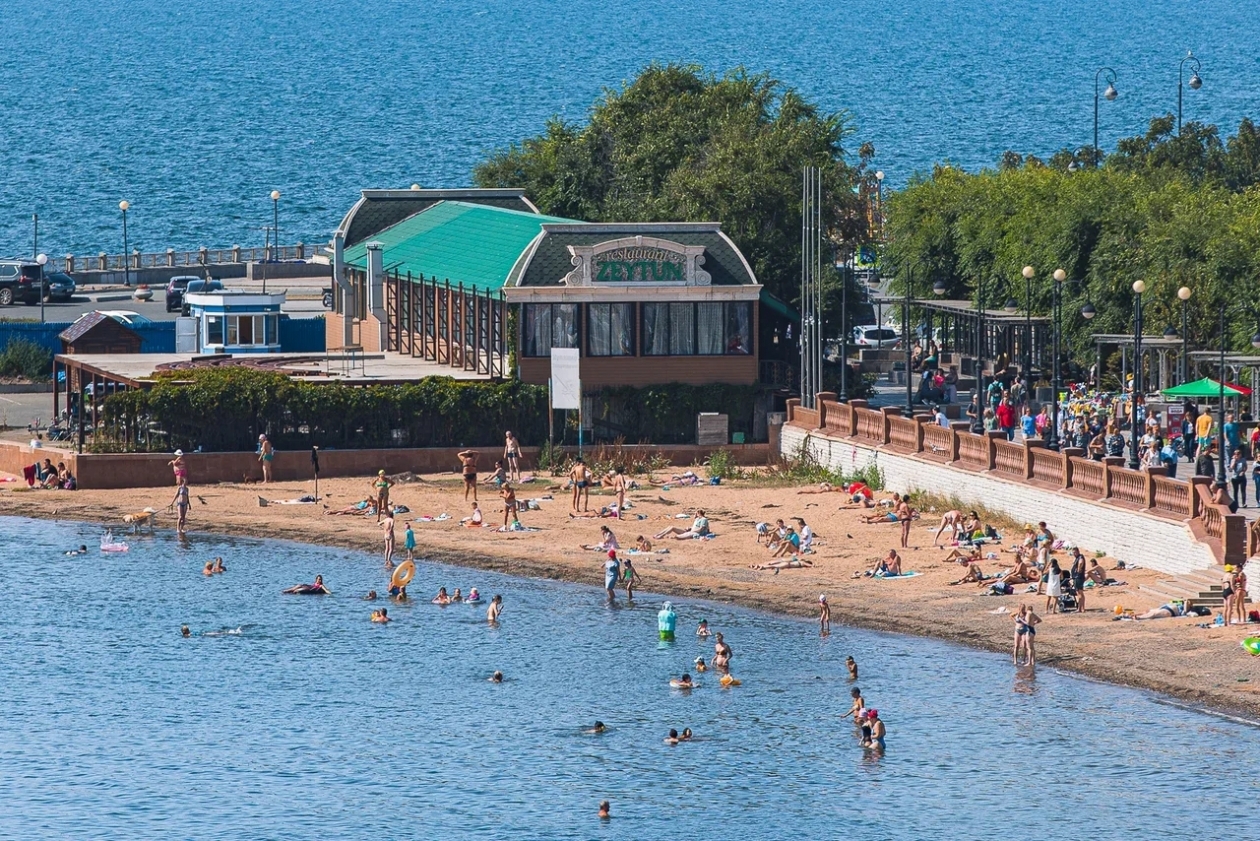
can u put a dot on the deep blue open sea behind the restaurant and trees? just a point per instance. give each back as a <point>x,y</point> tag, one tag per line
<point>195,112</point>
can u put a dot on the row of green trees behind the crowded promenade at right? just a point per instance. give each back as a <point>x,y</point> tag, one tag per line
<point>1172,211</point>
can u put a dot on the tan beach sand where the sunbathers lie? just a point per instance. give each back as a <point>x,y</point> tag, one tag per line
<point>1200,666</point>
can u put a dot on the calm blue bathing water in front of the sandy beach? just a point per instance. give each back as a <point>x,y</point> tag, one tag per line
<point>314,723</point>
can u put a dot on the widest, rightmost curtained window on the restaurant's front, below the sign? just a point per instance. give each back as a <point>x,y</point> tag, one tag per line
<point>705,330</point>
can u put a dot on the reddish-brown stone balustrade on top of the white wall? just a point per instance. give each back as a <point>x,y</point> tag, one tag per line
<point>1108,481</point>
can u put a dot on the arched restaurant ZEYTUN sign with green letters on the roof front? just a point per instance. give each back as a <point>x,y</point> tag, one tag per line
<point>638,262</point>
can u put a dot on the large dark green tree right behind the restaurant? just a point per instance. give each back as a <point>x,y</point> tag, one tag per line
<point>682,146</point>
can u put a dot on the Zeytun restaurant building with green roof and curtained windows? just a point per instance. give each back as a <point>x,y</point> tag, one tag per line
<point>481,282</point>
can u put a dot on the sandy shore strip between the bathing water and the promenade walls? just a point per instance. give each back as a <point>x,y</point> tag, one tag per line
<point>1140,655</point>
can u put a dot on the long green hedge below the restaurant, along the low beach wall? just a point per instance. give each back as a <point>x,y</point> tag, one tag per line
<point>227,409</point>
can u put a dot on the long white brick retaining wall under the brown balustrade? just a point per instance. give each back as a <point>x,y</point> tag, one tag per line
<point>1131,536</point>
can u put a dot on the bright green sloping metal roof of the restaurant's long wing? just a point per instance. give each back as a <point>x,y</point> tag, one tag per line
<point>457,241</point>
